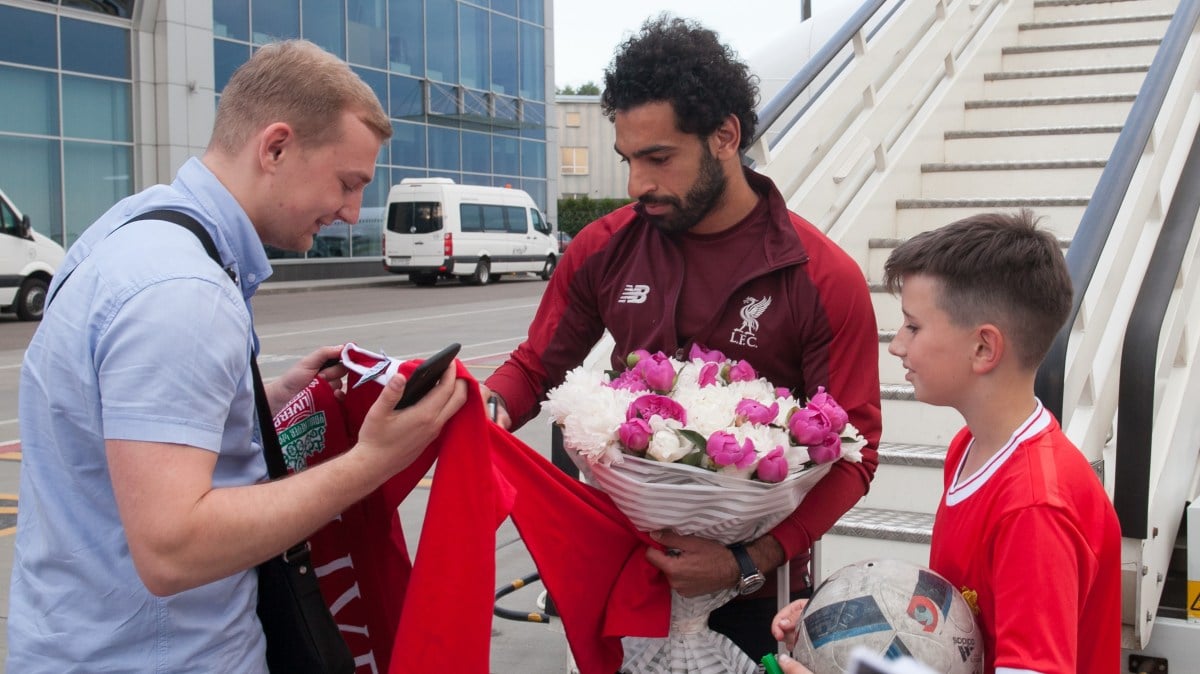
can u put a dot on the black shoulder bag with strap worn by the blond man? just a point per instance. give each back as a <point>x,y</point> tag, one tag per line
<point>302,635</point>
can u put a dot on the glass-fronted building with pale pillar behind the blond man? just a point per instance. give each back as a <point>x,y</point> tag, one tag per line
<point>105,98</point>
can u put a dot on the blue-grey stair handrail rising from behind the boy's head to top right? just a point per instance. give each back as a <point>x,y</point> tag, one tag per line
<point>1111,192</point>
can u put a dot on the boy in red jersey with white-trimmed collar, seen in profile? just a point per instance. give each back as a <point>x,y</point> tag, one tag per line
<point>1024,522</point>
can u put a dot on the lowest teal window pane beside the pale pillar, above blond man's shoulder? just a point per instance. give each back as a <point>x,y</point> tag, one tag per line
<point>98,176</point>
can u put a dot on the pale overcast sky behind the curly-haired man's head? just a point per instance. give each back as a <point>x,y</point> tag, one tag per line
<point>587,32</point>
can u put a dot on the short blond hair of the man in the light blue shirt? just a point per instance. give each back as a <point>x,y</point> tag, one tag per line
<point>298,83</point>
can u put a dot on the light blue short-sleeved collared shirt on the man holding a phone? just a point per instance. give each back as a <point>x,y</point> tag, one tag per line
<point>148,341</point>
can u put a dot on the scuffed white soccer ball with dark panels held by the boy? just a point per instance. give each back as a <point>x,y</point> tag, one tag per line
<point>893,609</point>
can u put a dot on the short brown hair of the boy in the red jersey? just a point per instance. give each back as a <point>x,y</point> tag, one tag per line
<point>994,268</point>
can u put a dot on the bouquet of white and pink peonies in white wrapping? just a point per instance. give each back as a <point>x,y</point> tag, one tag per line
<point>705,448</point>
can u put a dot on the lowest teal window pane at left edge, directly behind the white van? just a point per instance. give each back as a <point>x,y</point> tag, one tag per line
<point>31,177</point>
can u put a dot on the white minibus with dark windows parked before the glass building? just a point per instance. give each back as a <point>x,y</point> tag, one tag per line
<point>439,230</point>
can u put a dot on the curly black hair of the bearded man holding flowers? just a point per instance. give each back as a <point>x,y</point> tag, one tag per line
<point>680,62</point>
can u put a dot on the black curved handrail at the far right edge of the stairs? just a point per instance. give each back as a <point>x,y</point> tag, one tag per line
<point>1139,358</point>
